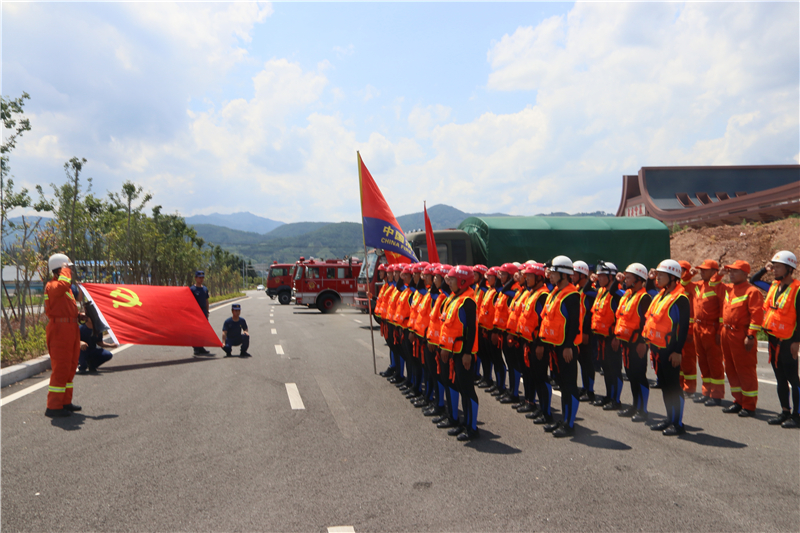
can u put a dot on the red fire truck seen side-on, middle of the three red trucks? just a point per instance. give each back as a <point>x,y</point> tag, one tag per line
<point>326,284</point>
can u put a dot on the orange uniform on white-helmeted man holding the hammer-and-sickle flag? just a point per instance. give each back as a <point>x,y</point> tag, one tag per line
<point>63,338</point>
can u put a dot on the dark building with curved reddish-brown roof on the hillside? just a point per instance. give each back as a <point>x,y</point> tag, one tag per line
<point>711,196</point>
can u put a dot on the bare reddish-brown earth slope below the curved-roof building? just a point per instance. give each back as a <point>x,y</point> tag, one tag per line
<point>755,243</point>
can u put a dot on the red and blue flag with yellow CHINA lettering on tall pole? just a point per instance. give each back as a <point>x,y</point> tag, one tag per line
<point>380,227</point>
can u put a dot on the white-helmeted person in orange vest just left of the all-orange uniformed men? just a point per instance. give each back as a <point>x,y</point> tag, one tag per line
<point>666,328</point>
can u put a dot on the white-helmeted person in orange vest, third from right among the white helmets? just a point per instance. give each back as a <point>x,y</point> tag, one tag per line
<point>628,332</point>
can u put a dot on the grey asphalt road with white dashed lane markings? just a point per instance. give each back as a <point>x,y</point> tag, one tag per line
<point>169,442</point>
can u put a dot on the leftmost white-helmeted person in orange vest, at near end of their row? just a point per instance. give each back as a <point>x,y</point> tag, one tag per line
<point>561,331</point>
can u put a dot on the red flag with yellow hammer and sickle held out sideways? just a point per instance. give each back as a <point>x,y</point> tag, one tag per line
<point>146,314</point>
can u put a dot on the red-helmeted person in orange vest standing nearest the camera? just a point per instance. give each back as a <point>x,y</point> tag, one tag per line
<point>459,342</point>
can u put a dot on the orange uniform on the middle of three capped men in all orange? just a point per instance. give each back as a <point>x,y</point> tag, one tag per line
<point>707,305</point>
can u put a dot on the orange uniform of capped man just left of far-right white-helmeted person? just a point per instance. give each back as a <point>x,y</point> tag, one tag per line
<point>742,315</point>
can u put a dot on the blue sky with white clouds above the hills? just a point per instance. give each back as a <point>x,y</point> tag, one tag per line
<point>514,107</point>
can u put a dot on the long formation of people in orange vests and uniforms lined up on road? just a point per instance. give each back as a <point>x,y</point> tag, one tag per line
<point>519,331</point>
